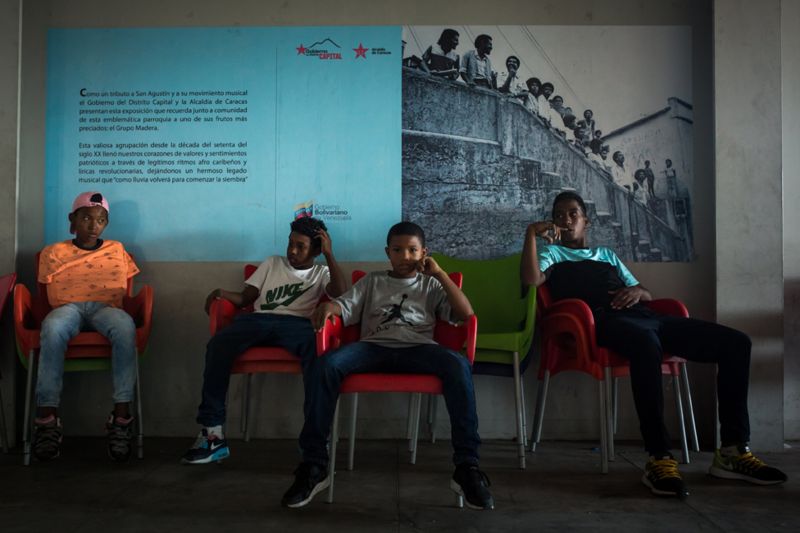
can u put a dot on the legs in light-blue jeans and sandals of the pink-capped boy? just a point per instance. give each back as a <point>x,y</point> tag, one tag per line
<point>58,328</point>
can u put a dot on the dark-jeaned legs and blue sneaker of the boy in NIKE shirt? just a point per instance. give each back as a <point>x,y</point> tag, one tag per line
<point>247,330</point>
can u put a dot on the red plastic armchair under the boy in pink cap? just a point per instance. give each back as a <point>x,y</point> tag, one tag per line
<point>85,352</point>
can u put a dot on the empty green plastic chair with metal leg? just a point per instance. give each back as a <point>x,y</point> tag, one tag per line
<point>506,319</point>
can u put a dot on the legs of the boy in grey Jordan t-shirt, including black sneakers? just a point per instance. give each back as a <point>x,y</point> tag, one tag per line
<point>325,378</point>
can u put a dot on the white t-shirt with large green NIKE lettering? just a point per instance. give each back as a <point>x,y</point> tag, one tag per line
<point>284,290</point>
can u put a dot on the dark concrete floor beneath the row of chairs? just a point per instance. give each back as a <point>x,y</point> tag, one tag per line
<point>562,489</point>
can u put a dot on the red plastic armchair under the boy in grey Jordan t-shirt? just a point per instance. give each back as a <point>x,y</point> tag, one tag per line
<point>333,335</point>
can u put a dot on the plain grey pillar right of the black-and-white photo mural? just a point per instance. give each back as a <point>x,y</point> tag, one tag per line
<point>749,244</point>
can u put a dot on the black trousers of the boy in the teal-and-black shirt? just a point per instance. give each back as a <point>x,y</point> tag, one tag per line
<point>642,336</point>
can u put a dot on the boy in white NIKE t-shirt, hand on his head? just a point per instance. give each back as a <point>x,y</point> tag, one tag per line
<point>285,291</point>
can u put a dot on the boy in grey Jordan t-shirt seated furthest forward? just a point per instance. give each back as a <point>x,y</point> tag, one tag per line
<point>397,310</point>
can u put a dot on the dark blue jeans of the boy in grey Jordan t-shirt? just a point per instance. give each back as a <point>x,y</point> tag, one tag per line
<point>327,372</point>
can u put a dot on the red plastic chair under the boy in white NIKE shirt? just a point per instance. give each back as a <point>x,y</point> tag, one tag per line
<point>256,360</point>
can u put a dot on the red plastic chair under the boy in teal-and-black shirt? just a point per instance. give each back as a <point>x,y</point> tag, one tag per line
<point>568,342</point>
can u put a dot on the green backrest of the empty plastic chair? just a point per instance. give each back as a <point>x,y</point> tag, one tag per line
<point>494,289</point>
